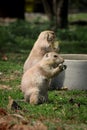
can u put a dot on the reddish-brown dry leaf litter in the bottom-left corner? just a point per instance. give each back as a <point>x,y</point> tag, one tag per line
<point>15,122</point>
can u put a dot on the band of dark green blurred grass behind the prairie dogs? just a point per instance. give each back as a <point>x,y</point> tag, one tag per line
<point>21,35</point>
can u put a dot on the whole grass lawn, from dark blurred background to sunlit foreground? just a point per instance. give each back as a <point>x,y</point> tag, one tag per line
<point>65,110</point>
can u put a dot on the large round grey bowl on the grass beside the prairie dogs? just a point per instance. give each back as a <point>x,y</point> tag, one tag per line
<point>75,76</point>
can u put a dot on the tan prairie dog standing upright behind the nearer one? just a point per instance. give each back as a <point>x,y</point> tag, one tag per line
<point>45,43</point>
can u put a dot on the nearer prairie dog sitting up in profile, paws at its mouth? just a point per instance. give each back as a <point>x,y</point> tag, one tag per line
<point>35,81</point>
